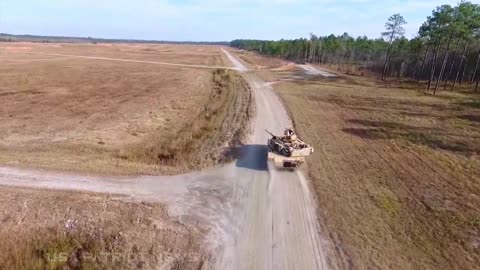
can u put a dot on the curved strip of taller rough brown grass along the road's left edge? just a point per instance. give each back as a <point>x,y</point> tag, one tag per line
<point>201,142</point>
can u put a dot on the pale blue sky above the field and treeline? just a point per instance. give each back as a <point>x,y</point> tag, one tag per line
<point>209,20</point>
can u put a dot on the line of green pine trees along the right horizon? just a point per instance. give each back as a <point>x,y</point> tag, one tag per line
<point>445,53</point>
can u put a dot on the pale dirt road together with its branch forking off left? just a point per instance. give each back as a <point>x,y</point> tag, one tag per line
<point>260,218</point>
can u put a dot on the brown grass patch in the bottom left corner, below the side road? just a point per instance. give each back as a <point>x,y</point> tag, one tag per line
<point>59,230</point>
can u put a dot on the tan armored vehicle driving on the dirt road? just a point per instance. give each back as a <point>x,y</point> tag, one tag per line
<point>287,151</point>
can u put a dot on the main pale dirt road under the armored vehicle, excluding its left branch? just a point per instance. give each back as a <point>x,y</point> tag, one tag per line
<point>278,228</point>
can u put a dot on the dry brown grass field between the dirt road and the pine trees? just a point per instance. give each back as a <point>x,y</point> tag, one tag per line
<point>396,171</point>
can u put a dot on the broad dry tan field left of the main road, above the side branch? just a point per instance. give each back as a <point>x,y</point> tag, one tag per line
<point>104,116</point>
